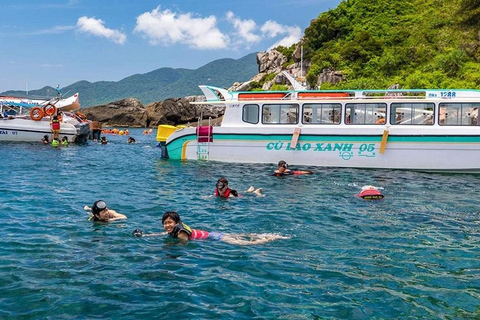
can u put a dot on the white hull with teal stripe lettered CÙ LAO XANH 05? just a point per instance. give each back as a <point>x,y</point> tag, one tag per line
<point>430,149</point>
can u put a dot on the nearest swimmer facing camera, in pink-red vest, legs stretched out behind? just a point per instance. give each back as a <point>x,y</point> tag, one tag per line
<point>175,228</point>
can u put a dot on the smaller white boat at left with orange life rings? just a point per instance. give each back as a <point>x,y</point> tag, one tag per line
<point>25,119</point>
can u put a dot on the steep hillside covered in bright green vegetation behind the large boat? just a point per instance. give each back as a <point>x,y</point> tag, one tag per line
<point>414,43</point>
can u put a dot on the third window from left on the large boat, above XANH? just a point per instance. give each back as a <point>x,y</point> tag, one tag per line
<point>324,113</point>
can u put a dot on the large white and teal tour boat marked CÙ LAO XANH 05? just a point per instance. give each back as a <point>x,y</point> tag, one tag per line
<point>425,130</point>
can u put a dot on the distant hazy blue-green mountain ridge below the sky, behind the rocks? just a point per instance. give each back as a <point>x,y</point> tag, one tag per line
<point>159,84</point>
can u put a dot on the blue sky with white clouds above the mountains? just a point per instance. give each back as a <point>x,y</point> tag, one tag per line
<point>60,42</point>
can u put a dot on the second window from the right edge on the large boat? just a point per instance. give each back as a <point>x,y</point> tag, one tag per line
<point>412,113</point>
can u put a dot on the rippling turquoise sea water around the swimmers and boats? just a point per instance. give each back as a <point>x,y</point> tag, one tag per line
<point>413,255</point>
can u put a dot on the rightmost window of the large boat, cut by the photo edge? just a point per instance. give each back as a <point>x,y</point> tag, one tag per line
<point>458,114</point>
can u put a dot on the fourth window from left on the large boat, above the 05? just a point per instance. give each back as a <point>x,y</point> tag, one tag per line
<point>365,113</point>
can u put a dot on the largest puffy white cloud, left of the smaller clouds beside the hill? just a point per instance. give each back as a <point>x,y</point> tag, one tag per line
<point>167,27</point>
